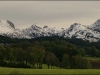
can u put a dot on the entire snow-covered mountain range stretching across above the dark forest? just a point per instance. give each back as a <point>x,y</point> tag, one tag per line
<point>76,30</point>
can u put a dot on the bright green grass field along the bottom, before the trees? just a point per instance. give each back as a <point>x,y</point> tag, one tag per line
<point>51,71</point>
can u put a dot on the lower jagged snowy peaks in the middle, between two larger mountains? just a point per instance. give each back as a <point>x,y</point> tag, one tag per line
<point>35,31</point>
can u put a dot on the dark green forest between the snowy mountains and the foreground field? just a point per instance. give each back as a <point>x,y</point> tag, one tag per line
<point>52,51</point>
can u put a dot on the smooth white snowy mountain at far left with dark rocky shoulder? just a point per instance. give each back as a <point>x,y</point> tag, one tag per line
<point>7,28</point>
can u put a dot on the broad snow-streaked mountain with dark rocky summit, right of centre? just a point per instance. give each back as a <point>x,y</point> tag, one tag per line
<point>81,32</point>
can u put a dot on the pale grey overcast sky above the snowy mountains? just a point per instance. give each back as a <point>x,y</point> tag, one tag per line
<point>51,13</point>
